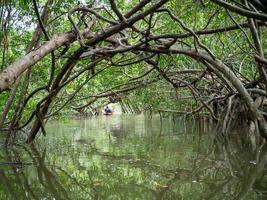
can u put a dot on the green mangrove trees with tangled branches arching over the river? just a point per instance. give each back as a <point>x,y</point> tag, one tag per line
<point>190,57</point>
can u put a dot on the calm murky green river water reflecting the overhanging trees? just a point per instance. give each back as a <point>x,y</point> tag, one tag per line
<point>133,157</point>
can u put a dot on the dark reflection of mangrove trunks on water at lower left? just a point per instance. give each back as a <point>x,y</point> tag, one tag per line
<point>25,175</point>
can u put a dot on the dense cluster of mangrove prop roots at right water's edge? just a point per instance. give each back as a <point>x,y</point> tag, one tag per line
<point>233,116</point>
